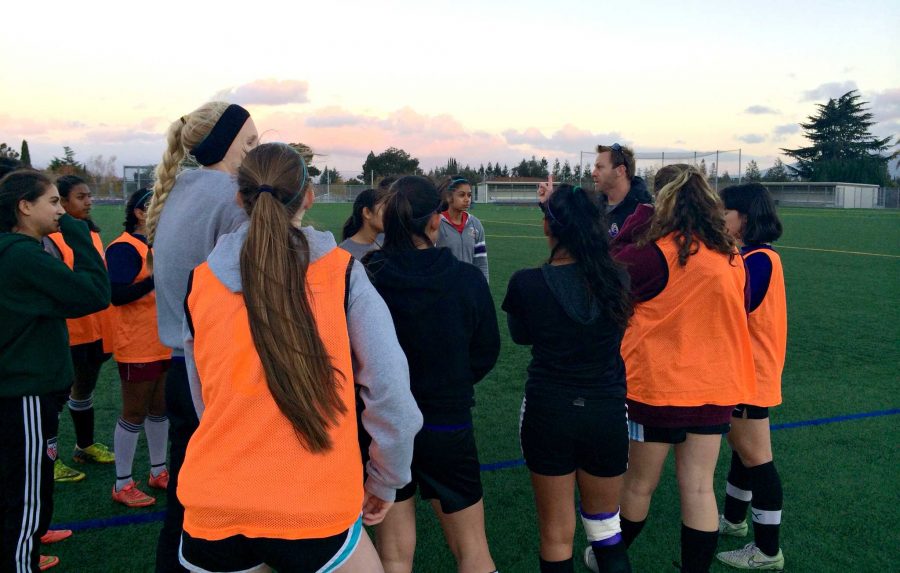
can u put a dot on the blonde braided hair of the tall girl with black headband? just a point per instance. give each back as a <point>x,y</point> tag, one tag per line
<point>184,134</point>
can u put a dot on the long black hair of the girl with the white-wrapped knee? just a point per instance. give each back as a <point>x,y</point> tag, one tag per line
<point>576,223</point>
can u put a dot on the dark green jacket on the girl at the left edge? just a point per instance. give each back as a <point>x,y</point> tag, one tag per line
<point>37,294</point>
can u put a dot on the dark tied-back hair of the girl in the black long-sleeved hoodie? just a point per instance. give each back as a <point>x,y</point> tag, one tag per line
<point>412,202</point>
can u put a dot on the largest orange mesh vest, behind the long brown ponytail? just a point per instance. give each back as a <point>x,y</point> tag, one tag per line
<point>245,471</point>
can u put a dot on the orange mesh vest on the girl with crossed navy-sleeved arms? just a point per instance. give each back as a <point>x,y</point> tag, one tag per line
<point>136,337</point>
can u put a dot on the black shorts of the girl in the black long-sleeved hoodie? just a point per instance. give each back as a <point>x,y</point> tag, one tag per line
<point>445,467</point>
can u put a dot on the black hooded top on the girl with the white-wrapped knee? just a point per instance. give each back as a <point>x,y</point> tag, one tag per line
<point>550,309</point>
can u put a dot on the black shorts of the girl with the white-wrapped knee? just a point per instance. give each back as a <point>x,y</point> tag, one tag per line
<point>562,431</point>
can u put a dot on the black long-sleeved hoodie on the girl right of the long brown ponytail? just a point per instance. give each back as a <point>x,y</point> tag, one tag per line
<point>446,323</point>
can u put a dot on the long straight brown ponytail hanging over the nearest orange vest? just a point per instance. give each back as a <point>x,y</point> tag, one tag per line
<point>272,180</point>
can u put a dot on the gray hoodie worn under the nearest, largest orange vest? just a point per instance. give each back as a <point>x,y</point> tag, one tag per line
<point>391,416</point>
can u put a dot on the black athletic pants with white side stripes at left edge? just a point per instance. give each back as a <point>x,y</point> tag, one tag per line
<point>28,427</point>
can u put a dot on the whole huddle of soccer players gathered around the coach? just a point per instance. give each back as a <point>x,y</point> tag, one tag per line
<point>334,381</point>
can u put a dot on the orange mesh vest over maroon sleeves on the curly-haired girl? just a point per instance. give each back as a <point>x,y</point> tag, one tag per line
<point>690,345</point>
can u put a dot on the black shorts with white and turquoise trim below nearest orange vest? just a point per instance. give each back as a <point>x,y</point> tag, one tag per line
<point>250,554</point>
